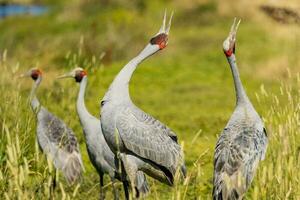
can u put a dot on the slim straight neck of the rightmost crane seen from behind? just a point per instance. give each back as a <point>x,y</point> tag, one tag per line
<point>241,96</point>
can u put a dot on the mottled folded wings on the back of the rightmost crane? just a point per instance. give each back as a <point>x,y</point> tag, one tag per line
<point>239,152</point>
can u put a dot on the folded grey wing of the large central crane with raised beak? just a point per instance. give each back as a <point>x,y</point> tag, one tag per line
<point>148,139</point>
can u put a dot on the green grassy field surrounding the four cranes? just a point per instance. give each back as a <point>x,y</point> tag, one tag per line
<point>188,86</point>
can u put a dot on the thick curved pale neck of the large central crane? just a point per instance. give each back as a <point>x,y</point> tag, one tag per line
<point>119,91</point>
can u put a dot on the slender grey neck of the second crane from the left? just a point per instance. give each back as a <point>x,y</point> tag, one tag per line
<point>82,112</point>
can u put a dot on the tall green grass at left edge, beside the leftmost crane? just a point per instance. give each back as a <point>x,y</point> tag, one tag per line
<point>25,172</point>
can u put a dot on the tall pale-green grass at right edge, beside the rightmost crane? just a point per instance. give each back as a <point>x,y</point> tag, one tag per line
<point>278,177</point>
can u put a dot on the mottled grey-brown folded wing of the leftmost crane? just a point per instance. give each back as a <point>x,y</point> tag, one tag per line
<point>59,142</point>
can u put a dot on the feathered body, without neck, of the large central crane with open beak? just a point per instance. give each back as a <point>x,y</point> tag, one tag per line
<point>155,151</point>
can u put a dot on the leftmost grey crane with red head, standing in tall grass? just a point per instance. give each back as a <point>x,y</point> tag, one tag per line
<point>55,139</point>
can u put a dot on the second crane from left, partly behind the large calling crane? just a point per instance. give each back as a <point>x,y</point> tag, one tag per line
<point>99,152</point>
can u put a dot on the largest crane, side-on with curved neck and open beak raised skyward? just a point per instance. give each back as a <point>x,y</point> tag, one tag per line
<point>140,141</point>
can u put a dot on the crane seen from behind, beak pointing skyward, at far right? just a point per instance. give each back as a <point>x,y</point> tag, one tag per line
<point>243,142</point>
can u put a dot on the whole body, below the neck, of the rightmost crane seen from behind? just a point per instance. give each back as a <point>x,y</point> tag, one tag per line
<point>240,147</point>
